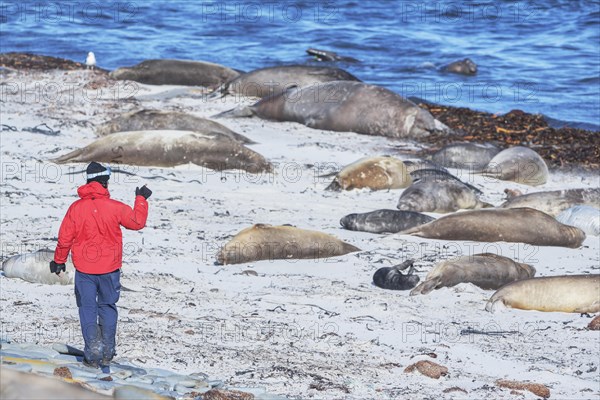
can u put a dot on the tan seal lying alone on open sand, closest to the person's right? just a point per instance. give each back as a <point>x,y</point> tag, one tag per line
<point>267,242</point>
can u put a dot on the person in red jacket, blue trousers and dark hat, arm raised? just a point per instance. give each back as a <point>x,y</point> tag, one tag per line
<point>91,231</point>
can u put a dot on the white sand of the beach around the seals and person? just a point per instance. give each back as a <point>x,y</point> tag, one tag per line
<point>309,329</point>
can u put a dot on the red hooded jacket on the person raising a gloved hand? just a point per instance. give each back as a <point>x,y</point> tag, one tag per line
<point>91,229</point>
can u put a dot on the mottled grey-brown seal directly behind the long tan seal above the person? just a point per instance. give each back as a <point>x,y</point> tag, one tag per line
<point>143,120</point>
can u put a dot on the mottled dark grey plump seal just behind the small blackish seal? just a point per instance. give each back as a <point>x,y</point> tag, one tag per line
<point>432,195</point>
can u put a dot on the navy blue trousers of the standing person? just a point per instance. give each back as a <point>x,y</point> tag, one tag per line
<point>97,296</point>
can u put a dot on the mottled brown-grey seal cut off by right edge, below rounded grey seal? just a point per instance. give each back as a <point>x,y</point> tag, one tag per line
<point>555,201</point>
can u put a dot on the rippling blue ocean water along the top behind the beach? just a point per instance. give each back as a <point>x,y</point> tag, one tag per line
<point>540,57</point>
